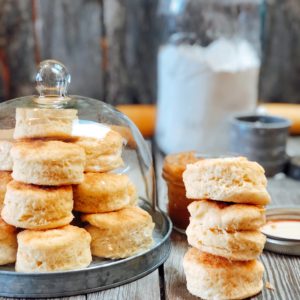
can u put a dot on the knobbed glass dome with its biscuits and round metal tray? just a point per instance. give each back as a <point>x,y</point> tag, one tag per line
<point>77,194</point>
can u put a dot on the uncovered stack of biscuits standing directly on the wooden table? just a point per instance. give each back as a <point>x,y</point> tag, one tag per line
<point>224,229</point>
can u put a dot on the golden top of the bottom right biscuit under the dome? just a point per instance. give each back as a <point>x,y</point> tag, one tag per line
<point>131,216</point>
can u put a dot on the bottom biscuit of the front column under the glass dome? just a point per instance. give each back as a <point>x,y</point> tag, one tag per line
<point>64,248</point>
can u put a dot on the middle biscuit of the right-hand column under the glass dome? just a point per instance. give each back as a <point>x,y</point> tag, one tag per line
<point>103,192</point>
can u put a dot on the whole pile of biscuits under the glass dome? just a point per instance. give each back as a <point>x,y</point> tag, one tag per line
<point>58,165</point>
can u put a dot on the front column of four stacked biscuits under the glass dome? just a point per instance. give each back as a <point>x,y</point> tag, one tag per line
<point>39,199</point>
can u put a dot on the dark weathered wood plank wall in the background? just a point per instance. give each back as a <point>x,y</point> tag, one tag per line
<point>110,47</point>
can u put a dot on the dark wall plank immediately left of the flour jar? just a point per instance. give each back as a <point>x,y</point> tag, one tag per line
<point>131,46</point>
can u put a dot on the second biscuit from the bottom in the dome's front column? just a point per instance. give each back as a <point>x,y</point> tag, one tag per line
<point>37,207</point>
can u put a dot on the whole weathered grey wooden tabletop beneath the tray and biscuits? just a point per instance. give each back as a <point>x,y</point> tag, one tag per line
<point>168,282</point>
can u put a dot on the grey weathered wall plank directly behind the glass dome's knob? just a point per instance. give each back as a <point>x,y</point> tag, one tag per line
<point>70,31</point>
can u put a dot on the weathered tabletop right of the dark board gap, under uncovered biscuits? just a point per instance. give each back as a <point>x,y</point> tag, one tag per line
<point>282,271</point>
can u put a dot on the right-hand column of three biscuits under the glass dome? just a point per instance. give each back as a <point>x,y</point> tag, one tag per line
<point>107,201</point>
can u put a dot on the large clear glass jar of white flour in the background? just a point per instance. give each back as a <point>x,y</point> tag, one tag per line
<point>208,69</point>
